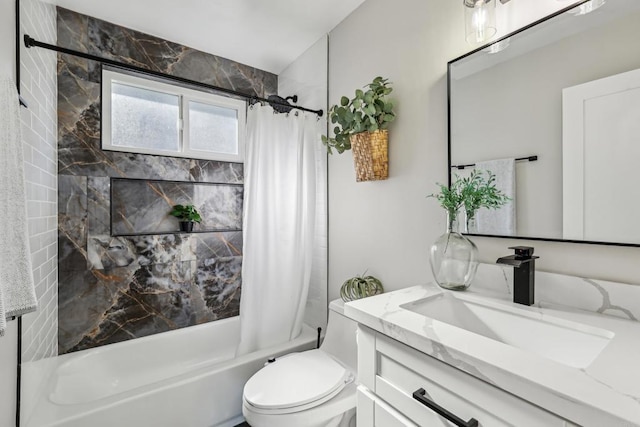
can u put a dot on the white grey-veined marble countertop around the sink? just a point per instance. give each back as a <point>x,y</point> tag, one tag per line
<point>605,393</point>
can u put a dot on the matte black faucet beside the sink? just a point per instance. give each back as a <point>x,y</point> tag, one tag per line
<point>524,270</point>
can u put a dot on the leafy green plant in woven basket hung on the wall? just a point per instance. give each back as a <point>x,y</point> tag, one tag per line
<point>361,124</point>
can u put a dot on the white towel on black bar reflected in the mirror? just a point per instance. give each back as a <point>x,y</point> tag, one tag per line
<point>501,221</point>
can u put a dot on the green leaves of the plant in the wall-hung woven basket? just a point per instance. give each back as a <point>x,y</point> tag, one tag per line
<point>369,111</point>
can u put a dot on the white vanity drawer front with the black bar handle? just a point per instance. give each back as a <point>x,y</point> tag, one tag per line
<point>400,371</point>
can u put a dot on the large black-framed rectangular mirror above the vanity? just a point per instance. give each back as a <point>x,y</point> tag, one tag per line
<point>561,96</point>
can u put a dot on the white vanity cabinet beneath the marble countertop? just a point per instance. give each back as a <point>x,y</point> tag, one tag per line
<point>391,373</point>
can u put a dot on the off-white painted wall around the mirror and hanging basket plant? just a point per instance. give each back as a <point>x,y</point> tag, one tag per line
<point>388,226</point>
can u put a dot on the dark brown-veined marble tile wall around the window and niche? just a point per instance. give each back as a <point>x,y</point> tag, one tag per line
<point>118,287</point>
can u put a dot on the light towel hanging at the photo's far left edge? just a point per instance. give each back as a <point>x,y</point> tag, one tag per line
<point>17,293</point>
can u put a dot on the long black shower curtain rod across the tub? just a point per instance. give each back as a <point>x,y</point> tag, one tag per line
<point>30,42</point>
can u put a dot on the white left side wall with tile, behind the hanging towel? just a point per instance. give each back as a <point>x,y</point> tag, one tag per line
<point>39,132</point>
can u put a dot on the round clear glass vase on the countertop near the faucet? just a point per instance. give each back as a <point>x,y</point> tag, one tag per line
<point>453,258</point>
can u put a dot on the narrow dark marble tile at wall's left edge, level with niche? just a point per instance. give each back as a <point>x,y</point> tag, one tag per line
<point>72,222</point>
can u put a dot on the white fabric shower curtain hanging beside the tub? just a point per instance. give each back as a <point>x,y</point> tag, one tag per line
<point>285,166</point>
